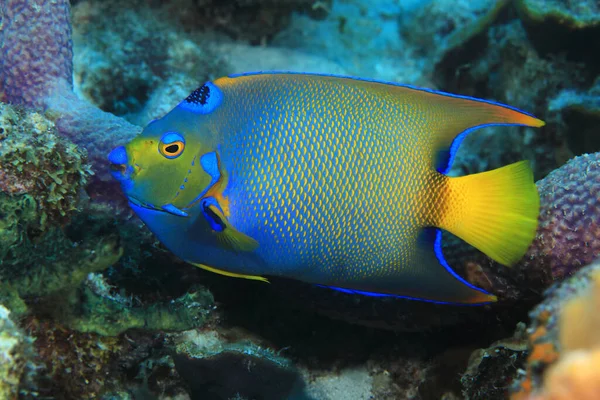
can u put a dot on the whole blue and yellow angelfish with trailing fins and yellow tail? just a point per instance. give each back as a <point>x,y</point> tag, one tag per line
<point>331,180</point>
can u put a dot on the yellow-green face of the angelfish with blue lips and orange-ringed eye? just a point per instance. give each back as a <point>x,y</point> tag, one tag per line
<point>165,167</point>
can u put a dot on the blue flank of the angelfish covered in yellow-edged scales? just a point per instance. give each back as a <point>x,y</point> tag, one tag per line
<point>327,186</point>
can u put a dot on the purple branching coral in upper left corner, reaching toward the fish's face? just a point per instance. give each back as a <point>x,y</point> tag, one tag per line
<point>36,70</point>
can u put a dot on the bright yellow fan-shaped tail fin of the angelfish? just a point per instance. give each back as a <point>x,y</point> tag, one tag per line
<point>495,211</point>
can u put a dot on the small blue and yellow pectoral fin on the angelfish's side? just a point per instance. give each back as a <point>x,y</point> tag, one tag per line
<point>227,235</point>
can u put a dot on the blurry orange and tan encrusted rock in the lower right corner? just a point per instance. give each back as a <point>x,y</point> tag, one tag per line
<point>555,358</point>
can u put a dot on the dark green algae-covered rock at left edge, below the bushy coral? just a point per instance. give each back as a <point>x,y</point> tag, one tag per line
<point>47,274</point>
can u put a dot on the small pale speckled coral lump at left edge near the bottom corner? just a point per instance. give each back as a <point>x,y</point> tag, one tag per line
<point>17,366</point>
